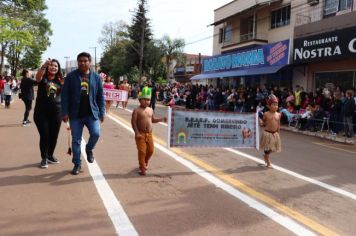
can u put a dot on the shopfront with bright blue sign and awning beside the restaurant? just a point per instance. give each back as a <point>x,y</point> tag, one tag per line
<point>253,66</point>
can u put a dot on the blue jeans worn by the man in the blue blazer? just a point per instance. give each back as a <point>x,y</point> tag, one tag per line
<point>77,126</point>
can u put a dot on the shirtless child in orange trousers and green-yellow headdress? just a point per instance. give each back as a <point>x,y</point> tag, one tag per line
<point>141,121</point>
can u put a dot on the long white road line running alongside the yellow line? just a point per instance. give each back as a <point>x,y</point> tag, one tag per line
<point>286,222</point>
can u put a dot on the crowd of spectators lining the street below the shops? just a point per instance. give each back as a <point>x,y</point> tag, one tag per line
<point>305,110</point>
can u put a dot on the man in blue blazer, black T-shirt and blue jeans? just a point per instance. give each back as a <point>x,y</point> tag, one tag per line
<point>83,104</point>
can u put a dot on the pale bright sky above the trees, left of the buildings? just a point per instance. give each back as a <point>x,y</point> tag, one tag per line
<point>77,24</point>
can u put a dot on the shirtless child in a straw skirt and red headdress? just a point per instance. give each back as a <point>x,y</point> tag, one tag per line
<point>270,139</point>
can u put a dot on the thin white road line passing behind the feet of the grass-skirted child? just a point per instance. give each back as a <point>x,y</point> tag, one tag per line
<point>294,174</point>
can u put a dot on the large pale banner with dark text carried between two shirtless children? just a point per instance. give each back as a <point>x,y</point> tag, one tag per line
<point>189,128</point>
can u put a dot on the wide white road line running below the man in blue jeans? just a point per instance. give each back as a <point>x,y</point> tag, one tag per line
<point>120,220</point>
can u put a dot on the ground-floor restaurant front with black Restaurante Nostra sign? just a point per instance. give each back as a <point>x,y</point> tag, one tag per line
<point>329,59</point>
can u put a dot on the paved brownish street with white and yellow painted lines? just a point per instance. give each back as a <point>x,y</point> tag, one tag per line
<point>311,190</point>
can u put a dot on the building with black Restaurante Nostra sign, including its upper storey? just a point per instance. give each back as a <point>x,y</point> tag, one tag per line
<point>325,45</point>
